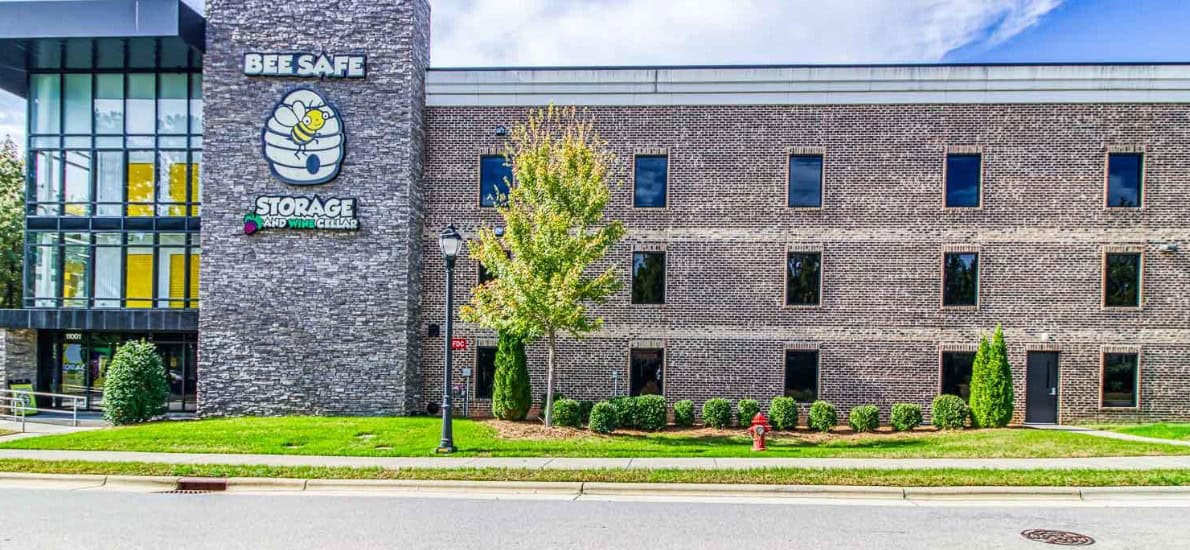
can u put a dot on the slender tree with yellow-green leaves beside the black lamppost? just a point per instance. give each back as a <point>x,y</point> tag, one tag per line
<point>554,232</point>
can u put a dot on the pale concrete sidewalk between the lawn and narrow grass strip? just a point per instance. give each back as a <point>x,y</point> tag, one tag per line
<point>1113,464</point>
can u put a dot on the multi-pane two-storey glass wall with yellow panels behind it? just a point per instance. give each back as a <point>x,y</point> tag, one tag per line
<point>115,179</point>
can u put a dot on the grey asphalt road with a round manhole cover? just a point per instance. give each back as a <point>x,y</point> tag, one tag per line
<point>99,520</point>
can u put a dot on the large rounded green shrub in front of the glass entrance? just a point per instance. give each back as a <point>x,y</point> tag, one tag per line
<point>136,387</point>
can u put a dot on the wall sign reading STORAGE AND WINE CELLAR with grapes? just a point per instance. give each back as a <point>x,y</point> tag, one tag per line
<point>302,214</point>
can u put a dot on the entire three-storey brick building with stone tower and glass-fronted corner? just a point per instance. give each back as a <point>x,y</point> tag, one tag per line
<point>840,233</point>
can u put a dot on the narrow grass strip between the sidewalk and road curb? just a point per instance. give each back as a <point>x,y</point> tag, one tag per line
<point>841,477</point>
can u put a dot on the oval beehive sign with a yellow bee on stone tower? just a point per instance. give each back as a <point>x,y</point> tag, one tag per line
<point>303,141</point>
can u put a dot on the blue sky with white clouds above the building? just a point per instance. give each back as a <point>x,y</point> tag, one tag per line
<point>625,33</point>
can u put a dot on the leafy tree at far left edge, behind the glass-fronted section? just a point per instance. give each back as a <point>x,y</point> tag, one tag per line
<point>12,223</point>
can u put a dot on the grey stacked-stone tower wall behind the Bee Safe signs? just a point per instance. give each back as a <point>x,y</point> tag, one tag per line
<point>314,322</point>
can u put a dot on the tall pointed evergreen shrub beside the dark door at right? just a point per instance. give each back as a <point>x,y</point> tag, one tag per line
<point>992,384</point>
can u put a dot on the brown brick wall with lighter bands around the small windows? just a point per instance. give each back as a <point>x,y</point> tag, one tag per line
<point>1041,233</point>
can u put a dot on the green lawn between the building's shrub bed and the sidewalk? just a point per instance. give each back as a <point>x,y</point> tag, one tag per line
<point>419,437</point>
